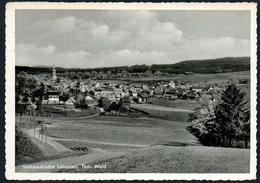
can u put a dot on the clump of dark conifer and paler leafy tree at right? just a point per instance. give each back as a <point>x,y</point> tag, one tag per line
<point>225,124</point>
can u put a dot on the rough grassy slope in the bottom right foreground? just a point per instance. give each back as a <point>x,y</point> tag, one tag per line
<point>189,159</point>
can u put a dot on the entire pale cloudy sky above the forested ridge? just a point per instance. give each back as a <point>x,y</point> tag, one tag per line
<point>107,38</point>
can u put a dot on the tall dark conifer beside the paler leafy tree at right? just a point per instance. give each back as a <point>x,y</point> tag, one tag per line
<point>232,116</point>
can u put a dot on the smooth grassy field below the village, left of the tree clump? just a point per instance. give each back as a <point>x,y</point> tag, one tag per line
<point>127,130</point>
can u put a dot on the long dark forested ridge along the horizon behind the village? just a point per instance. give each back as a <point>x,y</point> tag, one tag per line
<point>208,66</point>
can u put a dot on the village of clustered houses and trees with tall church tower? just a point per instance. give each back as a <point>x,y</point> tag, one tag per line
<point>59,94</point>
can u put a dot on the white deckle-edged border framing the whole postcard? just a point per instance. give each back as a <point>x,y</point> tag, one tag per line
<point>10,90</point>
